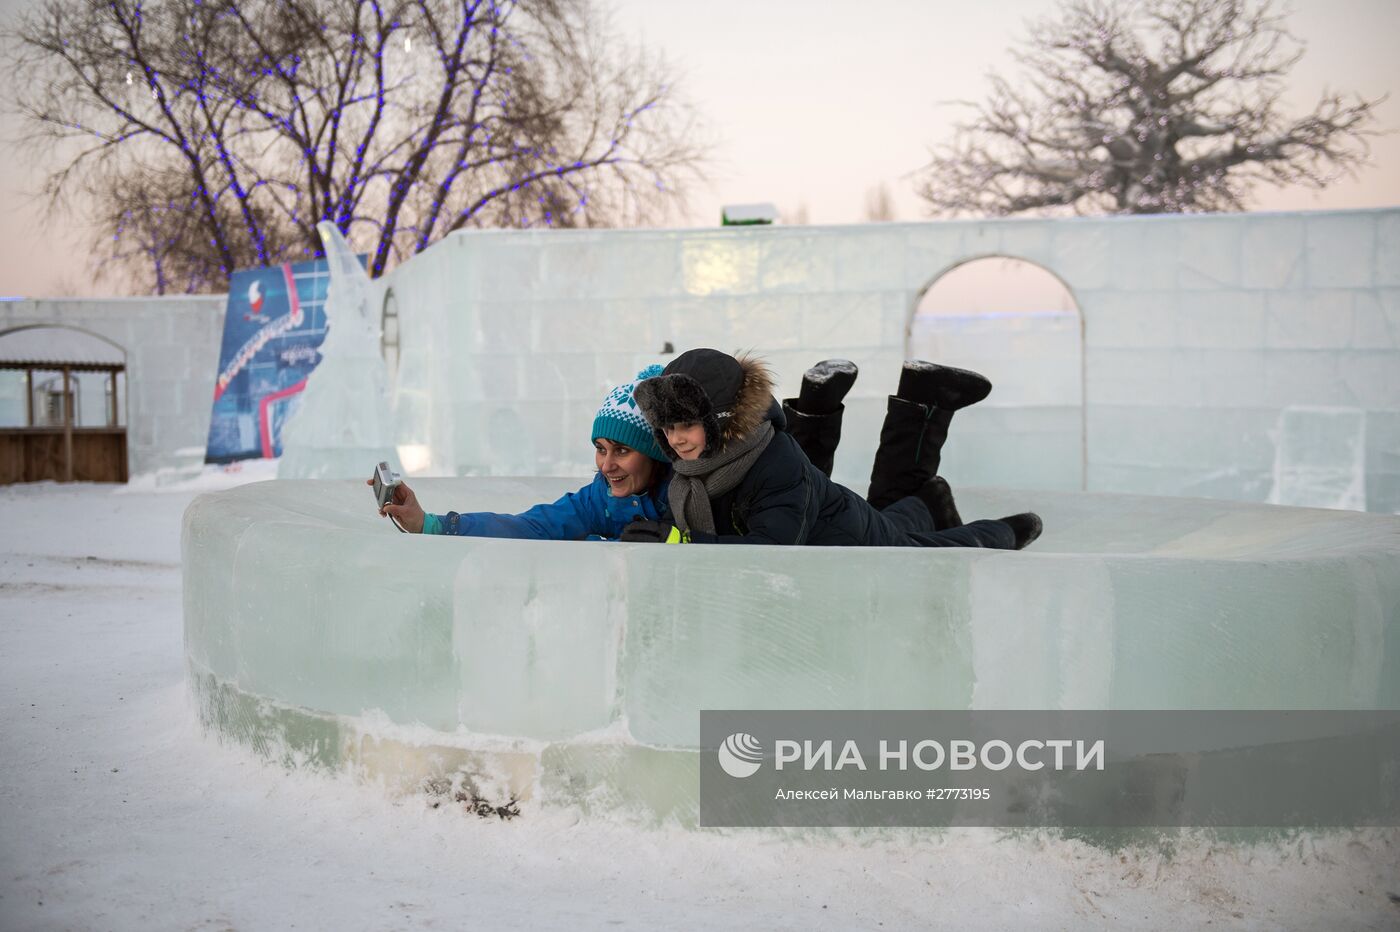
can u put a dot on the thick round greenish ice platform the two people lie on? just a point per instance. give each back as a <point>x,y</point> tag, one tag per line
<point>310,622</point>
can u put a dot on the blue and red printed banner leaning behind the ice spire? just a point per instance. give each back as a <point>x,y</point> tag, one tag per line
<point>274,327</point>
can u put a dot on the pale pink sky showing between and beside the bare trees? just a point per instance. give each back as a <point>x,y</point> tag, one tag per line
<point>815,103</point>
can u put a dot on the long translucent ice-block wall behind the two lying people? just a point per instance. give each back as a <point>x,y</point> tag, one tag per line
<point>1199,331</point>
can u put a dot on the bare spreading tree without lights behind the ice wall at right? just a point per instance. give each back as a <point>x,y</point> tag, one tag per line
<point>1146,107</point>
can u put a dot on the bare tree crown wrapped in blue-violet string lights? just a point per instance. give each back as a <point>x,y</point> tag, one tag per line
<point>211,135</point>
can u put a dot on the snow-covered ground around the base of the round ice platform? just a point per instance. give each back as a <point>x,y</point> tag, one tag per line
<point>118,814</point>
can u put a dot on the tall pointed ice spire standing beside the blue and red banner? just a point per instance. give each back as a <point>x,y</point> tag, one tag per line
<point>342,428</point>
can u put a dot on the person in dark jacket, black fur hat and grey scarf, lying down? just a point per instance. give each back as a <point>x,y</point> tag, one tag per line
<point>740,478</point>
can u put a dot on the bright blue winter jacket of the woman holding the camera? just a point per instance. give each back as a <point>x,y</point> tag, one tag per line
<point>589,514</point>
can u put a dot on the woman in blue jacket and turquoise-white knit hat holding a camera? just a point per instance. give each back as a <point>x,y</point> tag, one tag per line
<point>631,486</point>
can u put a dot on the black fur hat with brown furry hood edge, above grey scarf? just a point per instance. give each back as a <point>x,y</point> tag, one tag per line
<point>729,397</point>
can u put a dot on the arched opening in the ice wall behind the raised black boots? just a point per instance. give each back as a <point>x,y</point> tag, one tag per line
<point>1020,325</point>
